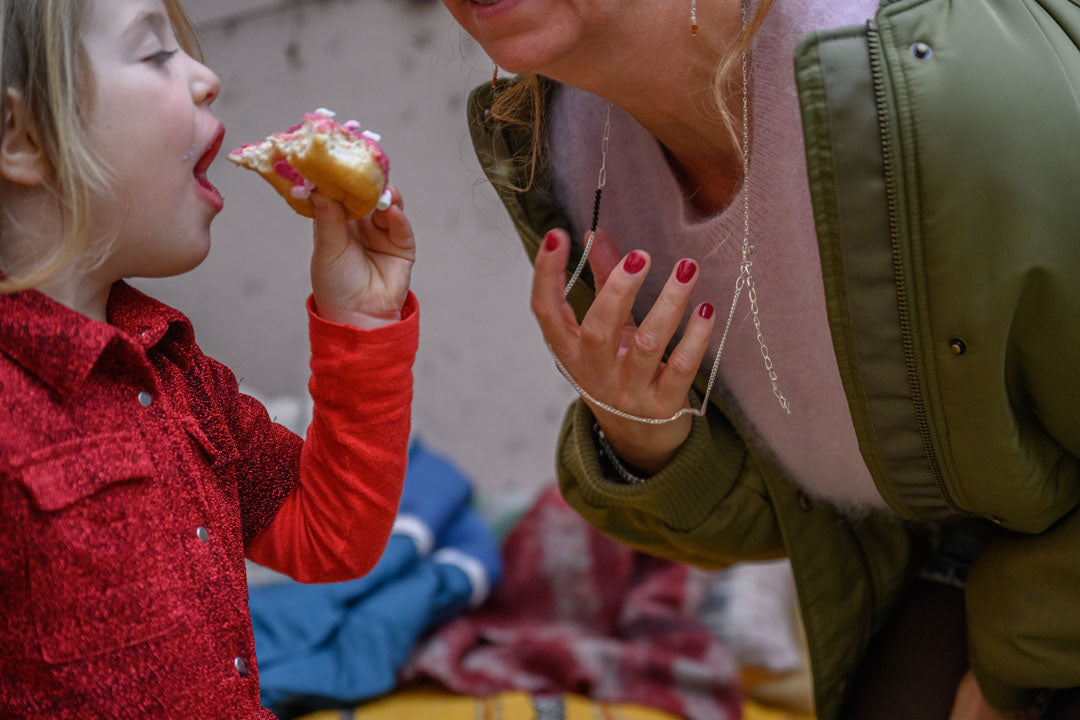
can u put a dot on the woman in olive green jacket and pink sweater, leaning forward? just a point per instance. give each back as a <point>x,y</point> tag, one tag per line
<point>896,388</point>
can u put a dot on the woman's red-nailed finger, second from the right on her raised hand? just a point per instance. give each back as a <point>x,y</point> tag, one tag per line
<point>651,341</point>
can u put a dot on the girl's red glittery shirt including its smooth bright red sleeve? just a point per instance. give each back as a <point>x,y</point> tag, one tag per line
<point>134,479</point>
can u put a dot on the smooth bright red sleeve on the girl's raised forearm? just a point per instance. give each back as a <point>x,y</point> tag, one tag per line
<point>336,523</point>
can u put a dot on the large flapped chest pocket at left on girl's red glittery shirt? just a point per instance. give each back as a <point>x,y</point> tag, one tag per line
<point>105,563</point>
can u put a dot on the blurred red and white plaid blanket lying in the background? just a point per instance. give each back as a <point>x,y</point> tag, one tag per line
<point>578,613</point>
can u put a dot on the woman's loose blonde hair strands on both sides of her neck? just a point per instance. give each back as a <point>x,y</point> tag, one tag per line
<point>521,105</point>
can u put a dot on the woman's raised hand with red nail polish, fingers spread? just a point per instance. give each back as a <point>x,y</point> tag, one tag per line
<point>613,359</point>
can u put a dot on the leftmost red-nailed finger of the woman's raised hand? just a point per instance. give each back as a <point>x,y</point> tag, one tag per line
<point>558,321</point>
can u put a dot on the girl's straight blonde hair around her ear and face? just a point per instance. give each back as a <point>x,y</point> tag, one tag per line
<point>43,59</point>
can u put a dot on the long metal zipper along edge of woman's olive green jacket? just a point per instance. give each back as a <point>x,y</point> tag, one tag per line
<point>923,419</point>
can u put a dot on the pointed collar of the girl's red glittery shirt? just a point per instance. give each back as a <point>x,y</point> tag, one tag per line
<point>61,346</point>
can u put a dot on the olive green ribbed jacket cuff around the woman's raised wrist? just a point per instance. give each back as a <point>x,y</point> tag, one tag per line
<point>683,496</point>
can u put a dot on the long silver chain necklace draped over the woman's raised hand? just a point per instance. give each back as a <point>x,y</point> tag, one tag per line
<point>746,280</point>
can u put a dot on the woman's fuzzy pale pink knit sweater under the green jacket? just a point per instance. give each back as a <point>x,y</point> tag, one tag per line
<point>644,208</point>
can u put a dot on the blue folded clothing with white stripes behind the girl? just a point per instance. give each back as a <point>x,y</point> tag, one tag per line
<point>328,645</point>
